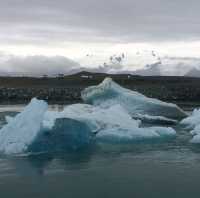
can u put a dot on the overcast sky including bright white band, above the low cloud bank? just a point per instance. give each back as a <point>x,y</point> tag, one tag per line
<point>73,28</point>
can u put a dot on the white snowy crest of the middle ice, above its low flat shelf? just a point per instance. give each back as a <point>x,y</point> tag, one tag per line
<point>95,117</point>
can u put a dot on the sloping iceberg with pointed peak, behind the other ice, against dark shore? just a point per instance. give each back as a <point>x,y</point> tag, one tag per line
<point>109,93</point>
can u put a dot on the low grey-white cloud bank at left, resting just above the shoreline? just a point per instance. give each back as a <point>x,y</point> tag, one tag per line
<point>36,65</point>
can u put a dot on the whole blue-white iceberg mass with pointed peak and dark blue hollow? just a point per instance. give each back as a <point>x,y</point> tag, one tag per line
<point>112,114</point>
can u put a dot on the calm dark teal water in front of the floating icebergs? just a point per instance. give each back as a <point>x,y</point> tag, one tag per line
<point>163,169</point>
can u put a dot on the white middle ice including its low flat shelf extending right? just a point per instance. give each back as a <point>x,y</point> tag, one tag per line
<point>111,124</point>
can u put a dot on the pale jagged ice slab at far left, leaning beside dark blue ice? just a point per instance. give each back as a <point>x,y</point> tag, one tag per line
<point>20,132</point>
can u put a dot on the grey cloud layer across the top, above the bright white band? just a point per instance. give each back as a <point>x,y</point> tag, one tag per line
<point>49,21</point>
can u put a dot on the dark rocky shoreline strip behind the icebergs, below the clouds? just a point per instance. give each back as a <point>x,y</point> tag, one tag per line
<point>20,90</point>
